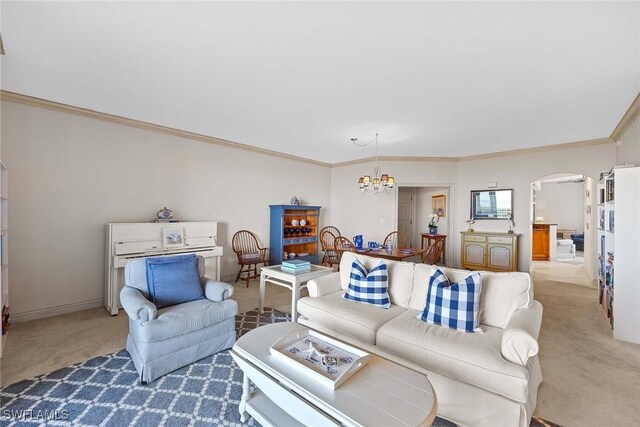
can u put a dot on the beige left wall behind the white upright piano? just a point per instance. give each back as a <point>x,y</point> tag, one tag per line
<point>70,175</point>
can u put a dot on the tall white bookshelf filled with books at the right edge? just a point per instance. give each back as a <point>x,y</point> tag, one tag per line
<point>618,242</point>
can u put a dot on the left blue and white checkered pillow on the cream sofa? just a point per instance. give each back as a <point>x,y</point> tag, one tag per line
<point>369,287</point>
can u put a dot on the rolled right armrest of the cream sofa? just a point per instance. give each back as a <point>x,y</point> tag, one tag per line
<point>520,337</point>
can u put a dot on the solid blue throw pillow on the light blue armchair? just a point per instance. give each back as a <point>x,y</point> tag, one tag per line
<point>173,280</point>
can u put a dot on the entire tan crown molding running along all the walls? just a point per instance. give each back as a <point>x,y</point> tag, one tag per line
<point>628,118</point>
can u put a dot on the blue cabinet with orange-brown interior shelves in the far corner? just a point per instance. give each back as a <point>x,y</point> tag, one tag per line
<point>294,229</point>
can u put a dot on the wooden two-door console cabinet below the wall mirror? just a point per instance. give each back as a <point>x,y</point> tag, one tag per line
<point>489,251</point>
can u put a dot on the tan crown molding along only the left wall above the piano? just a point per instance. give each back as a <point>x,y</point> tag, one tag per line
<point>84,112</point>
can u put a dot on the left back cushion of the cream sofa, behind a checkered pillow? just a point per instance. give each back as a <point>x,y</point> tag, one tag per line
<point>400,276</point>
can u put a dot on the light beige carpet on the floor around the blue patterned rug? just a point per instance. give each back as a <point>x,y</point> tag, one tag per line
<point>589,378</point>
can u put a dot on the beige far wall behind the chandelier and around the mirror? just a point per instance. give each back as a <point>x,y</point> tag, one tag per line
<point>355,213</point>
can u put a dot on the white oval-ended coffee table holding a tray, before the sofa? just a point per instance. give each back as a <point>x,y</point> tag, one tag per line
<point>382,393</point>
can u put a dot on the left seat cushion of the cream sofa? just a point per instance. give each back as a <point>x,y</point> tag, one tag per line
<point>360,321</point>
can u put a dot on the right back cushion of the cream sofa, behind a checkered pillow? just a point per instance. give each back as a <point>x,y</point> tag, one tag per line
<point>502,293</point>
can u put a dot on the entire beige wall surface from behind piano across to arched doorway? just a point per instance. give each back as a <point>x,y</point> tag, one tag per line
<point>70,175</point>
